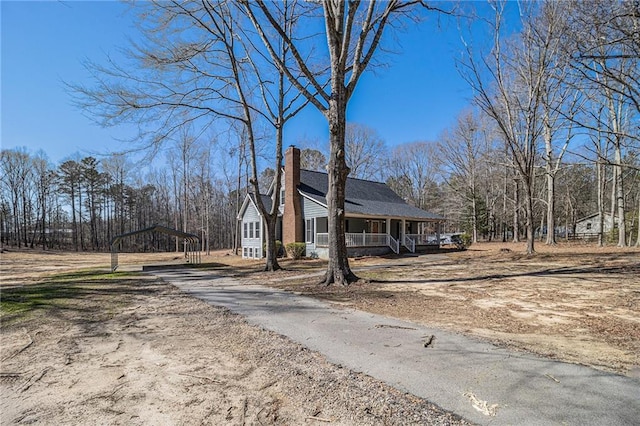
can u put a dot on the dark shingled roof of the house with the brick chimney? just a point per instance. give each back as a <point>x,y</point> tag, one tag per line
<point>363,197</point>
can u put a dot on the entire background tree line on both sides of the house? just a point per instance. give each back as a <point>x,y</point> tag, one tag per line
<point>464,176</point>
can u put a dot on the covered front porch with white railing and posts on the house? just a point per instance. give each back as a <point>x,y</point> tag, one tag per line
<point>394,233</point>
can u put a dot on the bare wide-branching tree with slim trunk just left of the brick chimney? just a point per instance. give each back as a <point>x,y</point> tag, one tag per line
<point>196,65</point>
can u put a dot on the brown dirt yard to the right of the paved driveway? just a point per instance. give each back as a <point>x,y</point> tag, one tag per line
<point>573,302</point>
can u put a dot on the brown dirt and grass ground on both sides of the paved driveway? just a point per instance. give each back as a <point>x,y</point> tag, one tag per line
<point>81,345</point>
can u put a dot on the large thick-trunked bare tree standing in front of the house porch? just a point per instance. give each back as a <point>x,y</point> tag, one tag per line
<point>353,33</point>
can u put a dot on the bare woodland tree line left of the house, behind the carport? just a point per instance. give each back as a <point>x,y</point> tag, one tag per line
<point>82,204</point>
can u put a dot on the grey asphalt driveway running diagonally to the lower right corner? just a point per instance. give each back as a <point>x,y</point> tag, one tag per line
<point>479,381</point>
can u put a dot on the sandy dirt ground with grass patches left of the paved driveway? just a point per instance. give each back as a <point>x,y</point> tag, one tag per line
<point>83,346</point>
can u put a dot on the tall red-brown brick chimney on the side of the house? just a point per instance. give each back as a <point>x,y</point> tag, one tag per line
<point>292,226</point>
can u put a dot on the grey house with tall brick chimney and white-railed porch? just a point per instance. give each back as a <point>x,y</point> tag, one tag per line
<point>377,220</point>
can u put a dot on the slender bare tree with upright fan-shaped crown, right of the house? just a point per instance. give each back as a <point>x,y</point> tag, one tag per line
<point>509,84</point>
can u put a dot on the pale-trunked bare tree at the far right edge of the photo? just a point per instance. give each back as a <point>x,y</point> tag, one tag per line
<point>603,44</point>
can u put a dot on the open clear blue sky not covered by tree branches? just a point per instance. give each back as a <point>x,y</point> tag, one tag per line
<point>414,98</point>
